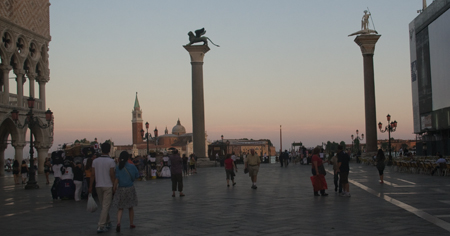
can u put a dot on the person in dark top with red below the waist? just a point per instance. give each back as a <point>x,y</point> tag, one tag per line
<point>318,172</point>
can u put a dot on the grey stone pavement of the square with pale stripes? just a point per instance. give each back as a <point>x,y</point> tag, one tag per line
<point>283,204</point>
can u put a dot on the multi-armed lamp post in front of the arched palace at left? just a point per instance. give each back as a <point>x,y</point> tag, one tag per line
<point>30,122</point>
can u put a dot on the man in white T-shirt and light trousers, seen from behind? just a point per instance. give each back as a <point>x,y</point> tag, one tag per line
<point>103,173</point>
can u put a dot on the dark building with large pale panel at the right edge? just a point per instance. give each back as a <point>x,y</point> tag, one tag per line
<point>429,35</point>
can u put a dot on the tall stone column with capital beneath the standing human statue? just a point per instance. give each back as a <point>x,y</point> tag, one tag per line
<point>367,44</point>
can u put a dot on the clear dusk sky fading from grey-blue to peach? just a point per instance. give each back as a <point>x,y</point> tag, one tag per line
<point>288,63</point>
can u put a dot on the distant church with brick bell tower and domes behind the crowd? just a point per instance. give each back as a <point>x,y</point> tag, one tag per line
<point>178,139</point>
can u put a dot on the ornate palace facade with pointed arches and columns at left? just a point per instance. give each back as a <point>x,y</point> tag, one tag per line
<point>25,36</point>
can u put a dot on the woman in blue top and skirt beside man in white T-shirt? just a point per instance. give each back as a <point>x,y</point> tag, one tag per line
<point>124,192</point>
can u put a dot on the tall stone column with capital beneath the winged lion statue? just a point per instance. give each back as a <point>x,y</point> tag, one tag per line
<point>197,54</point>
